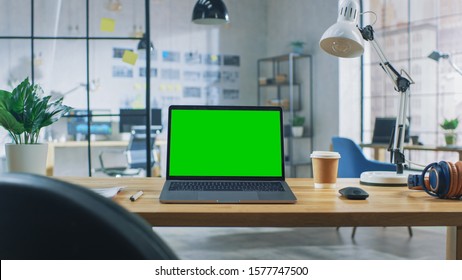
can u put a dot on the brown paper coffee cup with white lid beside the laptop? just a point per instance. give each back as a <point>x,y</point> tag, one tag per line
<point>325,168</point>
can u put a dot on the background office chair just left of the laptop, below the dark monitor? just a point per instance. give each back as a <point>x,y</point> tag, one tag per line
<point>135,155</point>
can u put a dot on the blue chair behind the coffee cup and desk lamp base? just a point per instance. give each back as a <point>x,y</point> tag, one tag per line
<point>353,162</point>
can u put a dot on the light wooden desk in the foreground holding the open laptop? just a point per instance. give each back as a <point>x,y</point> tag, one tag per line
<point>386,206</point>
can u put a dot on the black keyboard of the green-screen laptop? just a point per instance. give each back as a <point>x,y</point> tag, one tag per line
<point>227,186</point>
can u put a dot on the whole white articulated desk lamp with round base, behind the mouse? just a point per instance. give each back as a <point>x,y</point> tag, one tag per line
<point>345,39</point>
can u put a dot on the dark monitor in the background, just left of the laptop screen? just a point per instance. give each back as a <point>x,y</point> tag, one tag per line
<point>137,117</point>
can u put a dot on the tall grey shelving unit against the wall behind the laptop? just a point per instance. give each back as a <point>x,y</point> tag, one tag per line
<point>286,81</point>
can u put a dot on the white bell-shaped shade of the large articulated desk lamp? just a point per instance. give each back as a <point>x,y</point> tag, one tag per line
<point>343,38</point>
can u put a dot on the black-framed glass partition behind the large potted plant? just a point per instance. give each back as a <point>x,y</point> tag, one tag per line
<point>87,53</point>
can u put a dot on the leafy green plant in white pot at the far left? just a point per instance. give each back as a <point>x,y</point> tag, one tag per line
<point>23,113</point>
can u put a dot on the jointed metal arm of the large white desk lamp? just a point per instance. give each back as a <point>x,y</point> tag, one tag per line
<point>401,85</point>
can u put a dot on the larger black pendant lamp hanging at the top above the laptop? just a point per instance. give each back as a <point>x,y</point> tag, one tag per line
<point>210,12</point>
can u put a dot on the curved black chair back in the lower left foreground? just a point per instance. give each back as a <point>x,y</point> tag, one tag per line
<point>44,218</point>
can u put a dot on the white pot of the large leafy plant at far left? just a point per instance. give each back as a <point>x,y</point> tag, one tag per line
<point>26,158</point>
